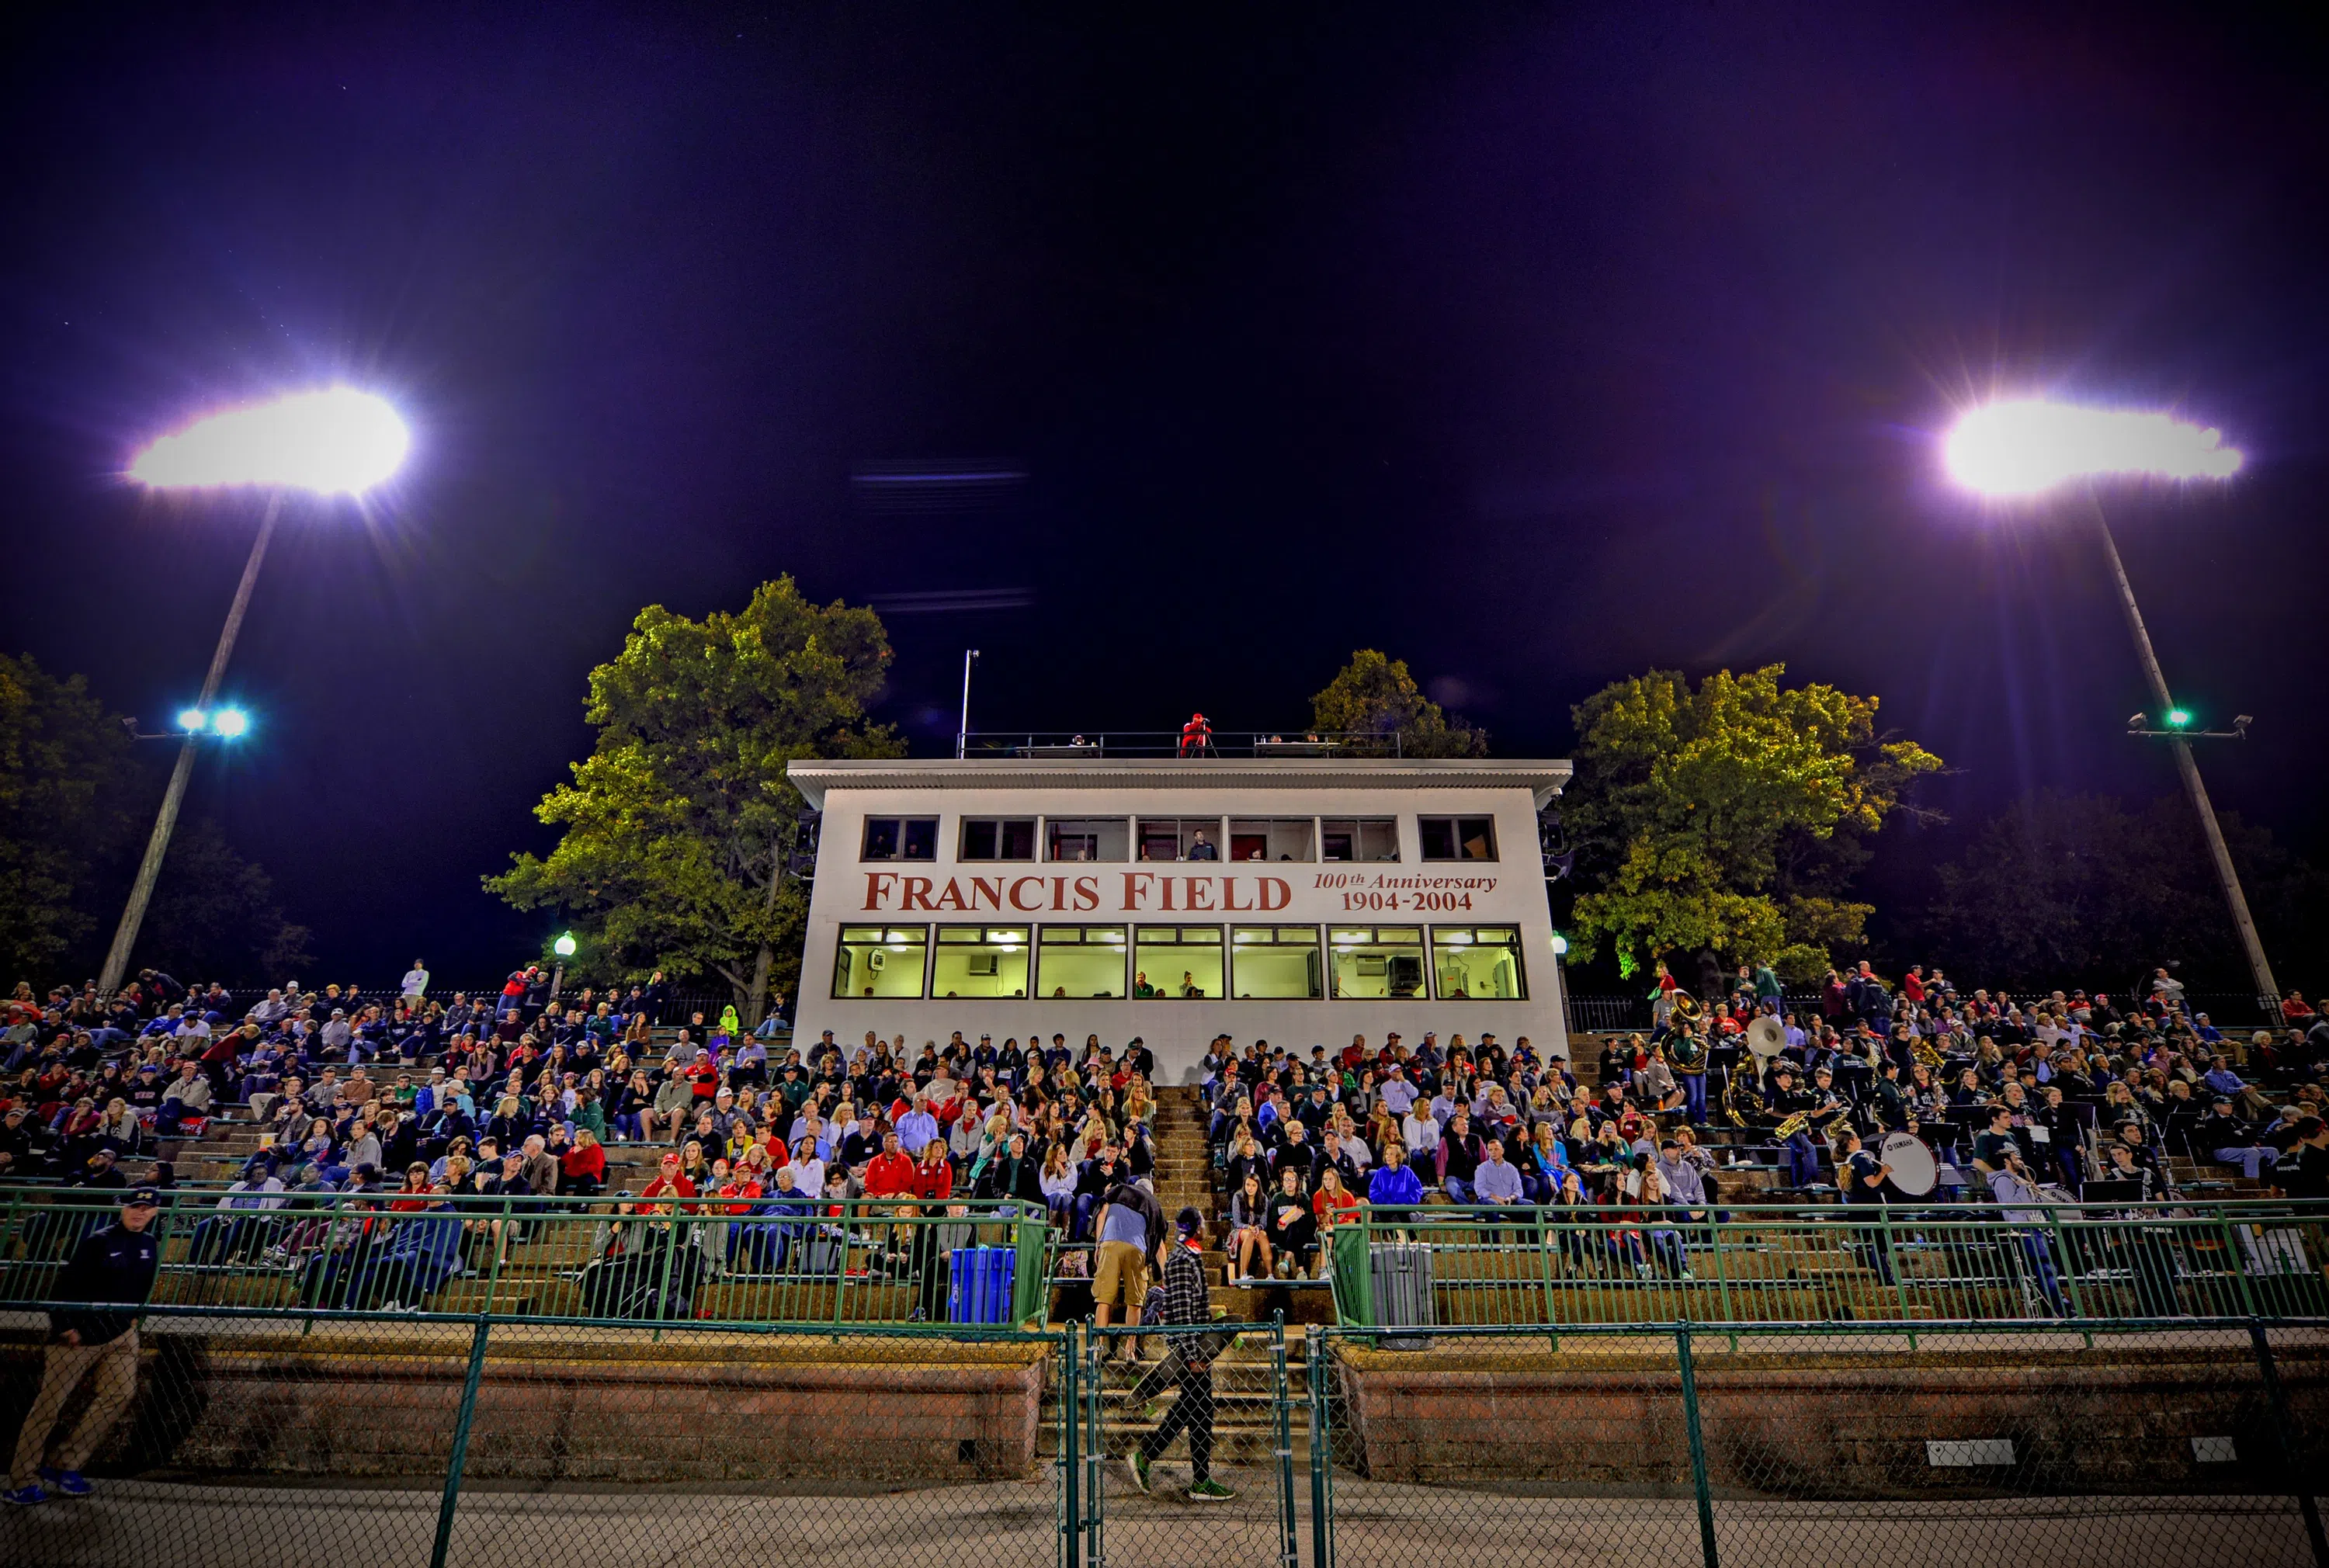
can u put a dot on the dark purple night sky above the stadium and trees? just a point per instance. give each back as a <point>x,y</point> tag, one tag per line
<point>1524,344</point>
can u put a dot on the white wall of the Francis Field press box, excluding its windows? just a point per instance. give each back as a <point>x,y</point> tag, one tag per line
<point>947,891</point>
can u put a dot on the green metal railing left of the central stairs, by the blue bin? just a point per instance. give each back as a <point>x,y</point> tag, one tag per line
<point>555,1257</point>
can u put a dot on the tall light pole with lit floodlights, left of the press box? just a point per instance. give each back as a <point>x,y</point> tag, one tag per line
<point>330,444</point>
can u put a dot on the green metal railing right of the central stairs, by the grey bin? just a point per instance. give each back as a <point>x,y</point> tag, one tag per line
<point>1489,1266</point>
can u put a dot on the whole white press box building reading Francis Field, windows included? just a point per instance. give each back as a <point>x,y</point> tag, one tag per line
<point>1298,900</point>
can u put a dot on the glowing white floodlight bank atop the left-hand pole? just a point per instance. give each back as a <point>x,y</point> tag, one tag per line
<point>337,444</point>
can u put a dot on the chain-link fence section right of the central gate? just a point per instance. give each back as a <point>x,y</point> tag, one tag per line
<point>1774,1446</point>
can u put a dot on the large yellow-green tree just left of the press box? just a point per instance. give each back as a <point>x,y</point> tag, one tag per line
<point>679,826</point>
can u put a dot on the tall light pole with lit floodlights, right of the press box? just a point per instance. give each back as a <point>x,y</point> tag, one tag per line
<point>2025,451</point>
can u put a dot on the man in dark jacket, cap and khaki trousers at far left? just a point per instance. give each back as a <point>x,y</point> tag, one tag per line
<point>111,1269</point>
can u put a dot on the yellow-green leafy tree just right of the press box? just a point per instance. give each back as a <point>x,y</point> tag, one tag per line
<point>1729,819</point>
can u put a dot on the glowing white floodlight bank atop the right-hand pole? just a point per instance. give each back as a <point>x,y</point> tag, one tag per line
<point>2032,446</point>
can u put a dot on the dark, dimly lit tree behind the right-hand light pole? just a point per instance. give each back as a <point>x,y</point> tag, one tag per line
<point>2088,891</point>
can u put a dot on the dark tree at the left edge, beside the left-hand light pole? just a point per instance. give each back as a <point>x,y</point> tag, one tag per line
<point>64,765</point>
